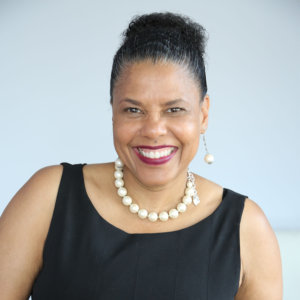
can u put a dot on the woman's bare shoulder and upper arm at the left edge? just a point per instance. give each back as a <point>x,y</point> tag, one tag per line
<point>24,225</point>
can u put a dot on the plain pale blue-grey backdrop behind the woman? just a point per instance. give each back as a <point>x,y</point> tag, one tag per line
<point>55,64</point>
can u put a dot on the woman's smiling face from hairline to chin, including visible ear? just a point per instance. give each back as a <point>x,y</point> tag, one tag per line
<point>157,120</point>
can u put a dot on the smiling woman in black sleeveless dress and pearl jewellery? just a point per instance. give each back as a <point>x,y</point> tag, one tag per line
<point>143,227</point>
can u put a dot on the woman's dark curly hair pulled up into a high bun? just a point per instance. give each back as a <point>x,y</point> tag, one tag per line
<point>162,36</point>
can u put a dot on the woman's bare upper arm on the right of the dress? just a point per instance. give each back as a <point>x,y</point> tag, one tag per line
<point>260,255</point>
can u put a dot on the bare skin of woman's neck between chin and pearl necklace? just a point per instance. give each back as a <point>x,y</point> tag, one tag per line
<point>155,198</point>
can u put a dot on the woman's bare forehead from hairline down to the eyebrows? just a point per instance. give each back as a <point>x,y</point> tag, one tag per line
<point>160,81</point>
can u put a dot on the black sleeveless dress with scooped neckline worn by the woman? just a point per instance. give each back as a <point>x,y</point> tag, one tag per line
<point>86,257</point>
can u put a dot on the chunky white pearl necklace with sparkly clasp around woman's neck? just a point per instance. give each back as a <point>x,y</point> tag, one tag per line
<point>190,195</point>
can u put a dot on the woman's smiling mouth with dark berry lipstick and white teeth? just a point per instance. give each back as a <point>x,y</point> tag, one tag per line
<point>155,155</point>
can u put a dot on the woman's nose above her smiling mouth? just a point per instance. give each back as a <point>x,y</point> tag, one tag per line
<point>154,126</point>
